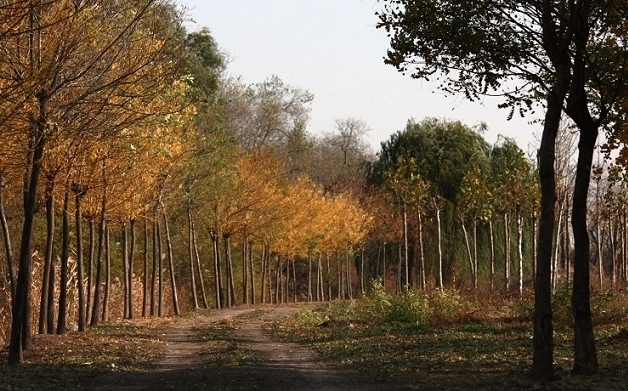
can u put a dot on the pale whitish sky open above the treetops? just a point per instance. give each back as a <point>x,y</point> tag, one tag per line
<point>333,49</point>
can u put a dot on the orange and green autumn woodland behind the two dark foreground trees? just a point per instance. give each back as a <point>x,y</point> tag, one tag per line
<point>139,179</point>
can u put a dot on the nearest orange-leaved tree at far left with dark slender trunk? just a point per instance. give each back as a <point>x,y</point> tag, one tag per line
<point>76,63</point>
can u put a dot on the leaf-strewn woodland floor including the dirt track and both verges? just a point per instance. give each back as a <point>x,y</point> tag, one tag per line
<point>247,349</point>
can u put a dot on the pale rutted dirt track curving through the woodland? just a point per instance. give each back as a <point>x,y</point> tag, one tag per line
<point>278,365</point>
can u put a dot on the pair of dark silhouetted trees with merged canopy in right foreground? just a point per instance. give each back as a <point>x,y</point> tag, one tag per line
<point>524,51</point>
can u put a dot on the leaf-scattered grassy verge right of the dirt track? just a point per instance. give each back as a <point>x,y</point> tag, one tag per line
<point>456,343</point>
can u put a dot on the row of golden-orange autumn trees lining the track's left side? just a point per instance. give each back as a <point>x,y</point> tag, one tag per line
<point>119,115</point>
